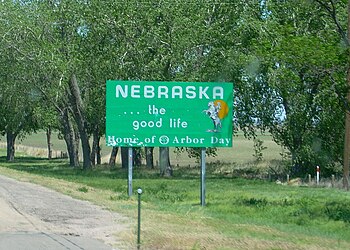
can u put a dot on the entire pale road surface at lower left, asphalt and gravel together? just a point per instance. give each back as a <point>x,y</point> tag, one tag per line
<point>33,217</point>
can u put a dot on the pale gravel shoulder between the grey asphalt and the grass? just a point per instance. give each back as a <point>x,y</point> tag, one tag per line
<point>27,207</point>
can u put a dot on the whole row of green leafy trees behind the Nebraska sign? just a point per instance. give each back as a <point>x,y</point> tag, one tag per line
<point>289,61</point>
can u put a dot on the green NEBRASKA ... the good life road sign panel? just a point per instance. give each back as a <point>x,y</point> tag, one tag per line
<point>169,114</point>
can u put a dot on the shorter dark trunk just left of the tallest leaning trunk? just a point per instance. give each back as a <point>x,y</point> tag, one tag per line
<point>69,138</point>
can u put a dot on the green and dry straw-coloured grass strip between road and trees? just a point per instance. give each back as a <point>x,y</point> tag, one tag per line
<point>240,213</point>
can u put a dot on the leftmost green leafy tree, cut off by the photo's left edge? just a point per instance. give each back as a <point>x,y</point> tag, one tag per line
<point>17,100</point>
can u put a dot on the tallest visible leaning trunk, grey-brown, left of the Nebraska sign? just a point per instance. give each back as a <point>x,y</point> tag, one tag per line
<point>77,105</point>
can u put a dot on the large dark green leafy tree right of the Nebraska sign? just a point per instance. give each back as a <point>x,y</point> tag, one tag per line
<point>290,85</point>
